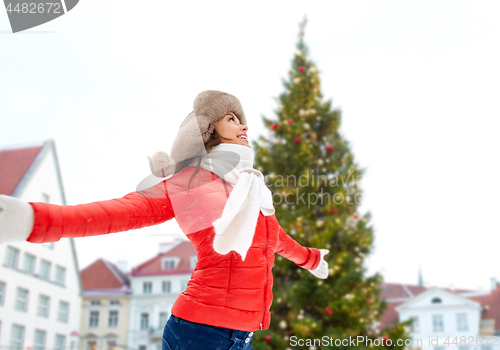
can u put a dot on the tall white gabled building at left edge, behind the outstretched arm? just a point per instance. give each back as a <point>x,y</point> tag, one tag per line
<point>40,284</point>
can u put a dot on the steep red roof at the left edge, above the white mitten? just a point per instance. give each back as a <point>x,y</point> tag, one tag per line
<point>14,164</point>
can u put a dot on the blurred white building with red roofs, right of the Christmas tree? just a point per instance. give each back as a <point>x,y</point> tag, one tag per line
<point>445,318</point>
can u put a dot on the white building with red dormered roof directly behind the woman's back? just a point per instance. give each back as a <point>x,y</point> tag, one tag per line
<point>155,285</point>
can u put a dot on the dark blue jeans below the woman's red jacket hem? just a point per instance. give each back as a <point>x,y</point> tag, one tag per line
<point>180,334</point>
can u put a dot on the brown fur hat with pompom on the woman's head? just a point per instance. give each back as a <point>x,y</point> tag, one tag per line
<point>208,107</point>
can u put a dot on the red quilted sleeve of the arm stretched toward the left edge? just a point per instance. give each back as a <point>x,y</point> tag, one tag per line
<point>148,207</point>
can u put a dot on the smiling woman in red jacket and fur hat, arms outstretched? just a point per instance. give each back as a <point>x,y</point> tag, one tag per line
<point>222,205</point>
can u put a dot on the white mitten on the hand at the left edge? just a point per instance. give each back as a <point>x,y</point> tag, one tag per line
<point>16,219</point>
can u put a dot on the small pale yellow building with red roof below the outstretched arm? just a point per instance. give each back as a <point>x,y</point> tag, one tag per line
<point>105,307</point>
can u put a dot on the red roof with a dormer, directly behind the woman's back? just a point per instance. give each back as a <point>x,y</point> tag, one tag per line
<point>184,250</point>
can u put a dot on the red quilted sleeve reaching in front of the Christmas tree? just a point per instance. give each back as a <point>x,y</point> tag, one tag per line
<point>307,258</point>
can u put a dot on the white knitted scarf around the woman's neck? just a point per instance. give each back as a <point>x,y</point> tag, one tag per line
<point>235,229</point>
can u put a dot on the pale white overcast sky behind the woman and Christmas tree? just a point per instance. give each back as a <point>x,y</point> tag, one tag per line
<point>418,84</point>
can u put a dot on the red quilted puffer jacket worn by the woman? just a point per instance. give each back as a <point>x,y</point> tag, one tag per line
<point>224,290</point>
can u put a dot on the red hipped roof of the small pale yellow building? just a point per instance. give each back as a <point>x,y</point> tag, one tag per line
<point>103,275</point>
